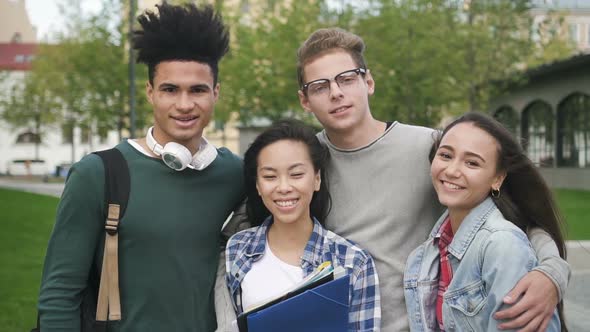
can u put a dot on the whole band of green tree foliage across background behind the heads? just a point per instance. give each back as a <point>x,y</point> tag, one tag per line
<point>428,58</point>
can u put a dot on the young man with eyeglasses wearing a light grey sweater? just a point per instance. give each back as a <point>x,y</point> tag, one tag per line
<point>379,180</point>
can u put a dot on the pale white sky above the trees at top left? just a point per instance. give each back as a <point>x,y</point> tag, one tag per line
<point>45,16</point>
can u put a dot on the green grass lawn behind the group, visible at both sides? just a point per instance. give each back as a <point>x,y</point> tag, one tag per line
<point>27,220</point>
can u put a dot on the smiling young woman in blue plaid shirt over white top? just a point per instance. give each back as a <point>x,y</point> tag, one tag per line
<point>288,200</point>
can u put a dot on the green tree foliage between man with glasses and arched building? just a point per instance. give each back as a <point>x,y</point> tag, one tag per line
<point>432,58</point>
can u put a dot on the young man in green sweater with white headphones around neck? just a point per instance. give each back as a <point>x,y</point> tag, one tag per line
<point>181,191</point>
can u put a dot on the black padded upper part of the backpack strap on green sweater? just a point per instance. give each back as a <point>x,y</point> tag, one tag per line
<point>117,182</point>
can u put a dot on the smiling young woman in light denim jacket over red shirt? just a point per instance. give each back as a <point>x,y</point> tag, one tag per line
<point>478,249</point>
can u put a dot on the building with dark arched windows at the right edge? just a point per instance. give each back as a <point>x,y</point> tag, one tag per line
<point>551,113</point>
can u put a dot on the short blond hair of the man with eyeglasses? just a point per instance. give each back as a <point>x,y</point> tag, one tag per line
<point>327,40</point>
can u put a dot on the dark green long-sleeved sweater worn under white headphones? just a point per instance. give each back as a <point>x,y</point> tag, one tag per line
<point>169,241</point>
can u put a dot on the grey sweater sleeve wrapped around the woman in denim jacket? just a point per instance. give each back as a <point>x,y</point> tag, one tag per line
<point>550,263</point>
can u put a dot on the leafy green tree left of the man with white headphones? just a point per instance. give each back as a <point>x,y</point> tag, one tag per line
<point>85,70</point>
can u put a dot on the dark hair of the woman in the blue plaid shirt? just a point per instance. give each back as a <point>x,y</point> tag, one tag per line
<point>292,130</point>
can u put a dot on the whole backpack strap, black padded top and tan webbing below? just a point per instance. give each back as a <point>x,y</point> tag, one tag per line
<point>117,187</point>
